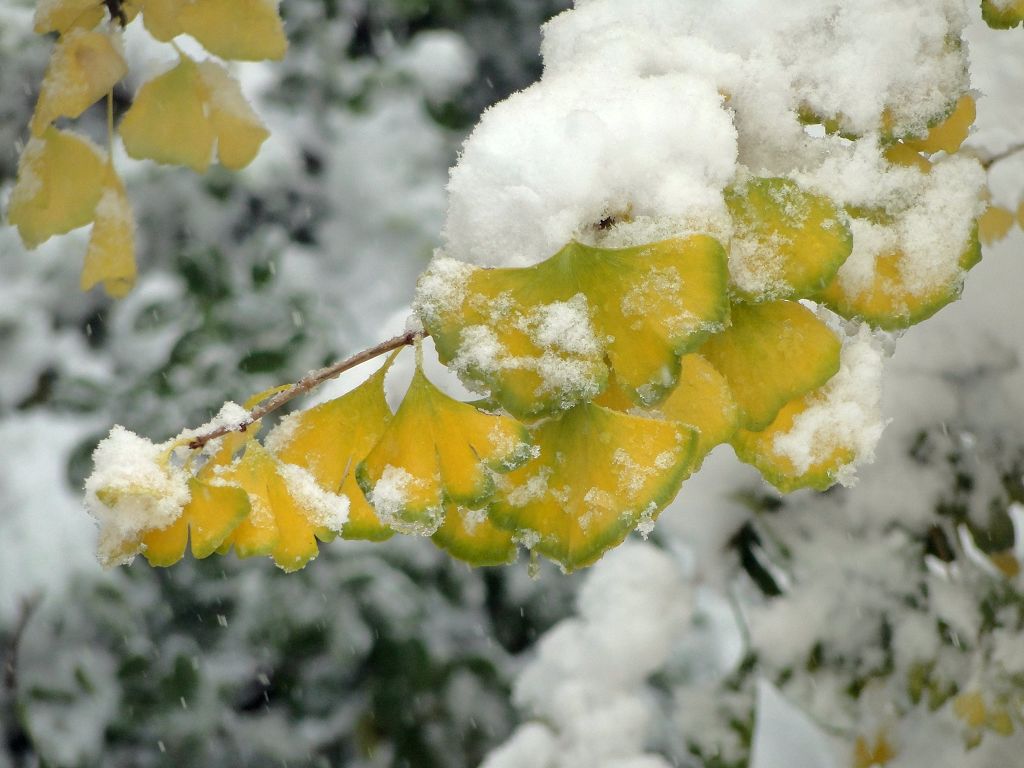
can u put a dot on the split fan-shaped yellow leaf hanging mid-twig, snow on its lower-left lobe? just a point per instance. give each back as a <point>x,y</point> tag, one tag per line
<point>436,450</point>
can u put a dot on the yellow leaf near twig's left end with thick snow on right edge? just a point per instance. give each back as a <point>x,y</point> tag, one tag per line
<point>289,510</point>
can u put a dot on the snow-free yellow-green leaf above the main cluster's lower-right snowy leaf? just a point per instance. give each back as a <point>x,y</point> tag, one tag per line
<point>771,355</point>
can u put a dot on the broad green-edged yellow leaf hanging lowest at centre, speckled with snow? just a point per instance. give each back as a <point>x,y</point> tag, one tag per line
<point>600,475</point>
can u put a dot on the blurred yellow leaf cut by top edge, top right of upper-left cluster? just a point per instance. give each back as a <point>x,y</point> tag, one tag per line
<point>241,30</point>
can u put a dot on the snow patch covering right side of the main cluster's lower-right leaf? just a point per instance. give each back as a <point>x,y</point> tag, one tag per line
<point>845,414</point>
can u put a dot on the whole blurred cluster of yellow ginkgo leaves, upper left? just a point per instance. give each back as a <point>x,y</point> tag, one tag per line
<point>66,182</point>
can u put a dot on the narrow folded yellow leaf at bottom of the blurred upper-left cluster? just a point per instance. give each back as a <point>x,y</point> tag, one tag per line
<point>111,257</point>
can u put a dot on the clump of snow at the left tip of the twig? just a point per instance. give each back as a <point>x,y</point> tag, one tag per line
<point>134,489</point>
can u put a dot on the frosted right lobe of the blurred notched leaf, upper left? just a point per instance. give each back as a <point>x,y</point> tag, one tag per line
<point>240,132</point>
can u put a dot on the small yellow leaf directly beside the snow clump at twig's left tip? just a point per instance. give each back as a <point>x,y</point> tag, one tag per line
<point>211,516</point>
